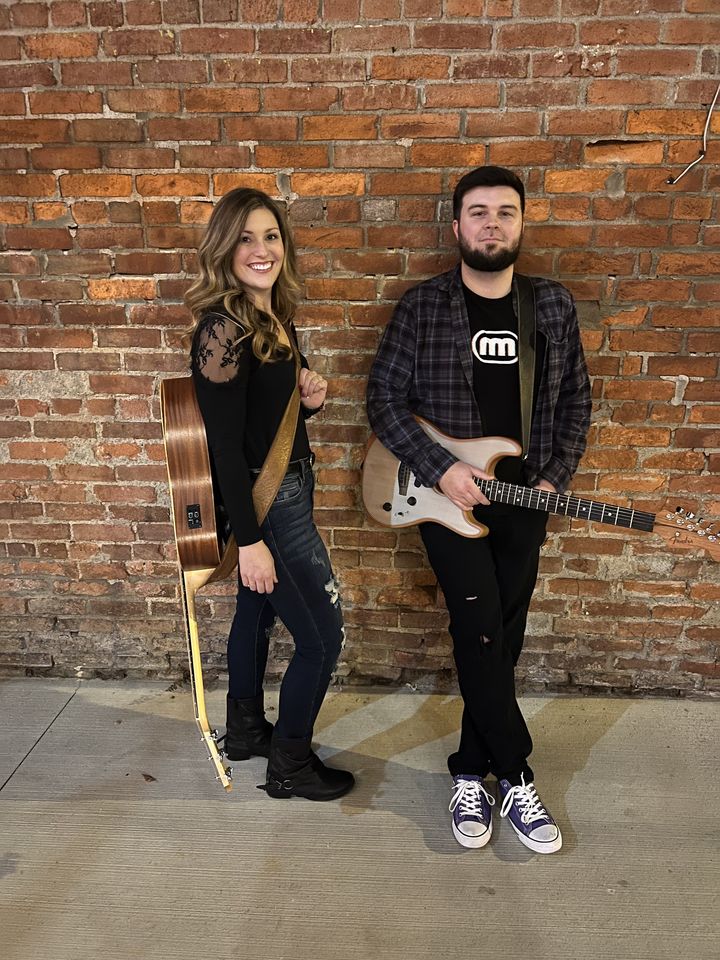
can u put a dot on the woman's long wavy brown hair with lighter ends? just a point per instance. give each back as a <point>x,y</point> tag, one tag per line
<point>217,284</point>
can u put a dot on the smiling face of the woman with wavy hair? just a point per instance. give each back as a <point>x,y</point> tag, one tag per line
<point>258,257</point>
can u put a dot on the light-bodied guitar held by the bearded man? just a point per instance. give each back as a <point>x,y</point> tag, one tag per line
<point>394,497</point>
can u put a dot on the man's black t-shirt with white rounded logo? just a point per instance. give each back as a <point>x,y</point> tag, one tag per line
<point>494,345</point>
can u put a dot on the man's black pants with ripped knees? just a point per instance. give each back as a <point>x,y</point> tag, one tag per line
<point>488,584</point>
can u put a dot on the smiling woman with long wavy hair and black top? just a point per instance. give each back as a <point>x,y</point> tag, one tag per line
<point>244,369</point>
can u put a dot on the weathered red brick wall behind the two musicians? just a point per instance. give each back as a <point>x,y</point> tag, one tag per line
<point>122,121</point>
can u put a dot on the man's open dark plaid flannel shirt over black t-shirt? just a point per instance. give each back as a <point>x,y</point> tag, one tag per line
<point>424,366</point>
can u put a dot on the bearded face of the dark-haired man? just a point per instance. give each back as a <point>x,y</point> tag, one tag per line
<point>490,228</point>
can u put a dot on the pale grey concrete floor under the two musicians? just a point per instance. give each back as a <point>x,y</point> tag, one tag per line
<point>117,843</point>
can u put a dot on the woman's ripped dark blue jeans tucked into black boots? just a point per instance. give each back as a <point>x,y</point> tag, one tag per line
<point>306,600</point>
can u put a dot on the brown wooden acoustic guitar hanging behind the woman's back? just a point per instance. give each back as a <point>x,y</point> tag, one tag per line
<point>206,552</point>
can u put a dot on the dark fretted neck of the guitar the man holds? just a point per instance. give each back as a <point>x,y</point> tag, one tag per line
<point>501,492</point>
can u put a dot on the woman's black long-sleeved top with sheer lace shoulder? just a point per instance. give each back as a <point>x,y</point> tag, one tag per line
<point>242,402</point>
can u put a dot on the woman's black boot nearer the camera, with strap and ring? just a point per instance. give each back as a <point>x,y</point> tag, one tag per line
<point>295,771</point>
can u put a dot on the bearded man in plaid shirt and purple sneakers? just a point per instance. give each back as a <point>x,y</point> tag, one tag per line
<point>455,354</point>
